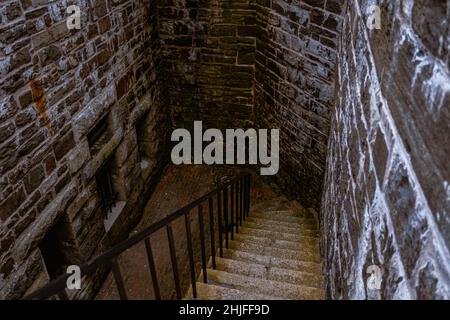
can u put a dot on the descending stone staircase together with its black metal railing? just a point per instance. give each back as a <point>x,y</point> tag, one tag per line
<point>272,252</point>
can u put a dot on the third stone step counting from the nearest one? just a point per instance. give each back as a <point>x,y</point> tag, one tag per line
<point>269,273</point>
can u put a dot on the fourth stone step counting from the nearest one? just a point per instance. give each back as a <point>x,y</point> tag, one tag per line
<point>297,265</point>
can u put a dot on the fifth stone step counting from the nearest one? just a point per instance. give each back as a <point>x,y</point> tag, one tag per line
<point>304,255</point>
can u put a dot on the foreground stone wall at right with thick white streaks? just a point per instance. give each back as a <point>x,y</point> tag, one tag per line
<point>386,198</point>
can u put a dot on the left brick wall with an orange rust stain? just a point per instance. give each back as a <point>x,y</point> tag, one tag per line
<point>52,81</point>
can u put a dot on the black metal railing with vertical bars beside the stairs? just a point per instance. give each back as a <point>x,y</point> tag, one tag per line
<point>232,204</point>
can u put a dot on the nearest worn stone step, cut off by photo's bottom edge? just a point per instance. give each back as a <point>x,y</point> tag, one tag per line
<point>216,292</point>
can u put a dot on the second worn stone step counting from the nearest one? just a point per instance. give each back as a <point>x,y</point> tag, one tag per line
<point>265,287</point>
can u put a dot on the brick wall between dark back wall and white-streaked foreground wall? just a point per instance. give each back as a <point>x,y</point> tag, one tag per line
<point>295,72</point>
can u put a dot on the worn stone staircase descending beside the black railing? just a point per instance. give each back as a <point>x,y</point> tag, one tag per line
<point>274,256</point>
